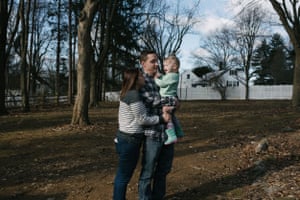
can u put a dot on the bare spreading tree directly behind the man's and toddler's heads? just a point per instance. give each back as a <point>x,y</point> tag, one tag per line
<point>165,30</point>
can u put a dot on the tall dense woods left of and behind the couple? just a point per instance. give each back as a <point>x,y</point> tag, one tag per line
<point>46,42</point>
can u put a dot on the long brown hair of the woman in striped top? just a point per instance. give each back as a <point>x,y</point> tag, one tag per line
<point>130,77</point>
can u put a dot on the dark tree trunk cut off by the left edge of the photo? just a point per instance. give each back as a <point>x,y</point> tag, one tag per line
<point>3,32</point>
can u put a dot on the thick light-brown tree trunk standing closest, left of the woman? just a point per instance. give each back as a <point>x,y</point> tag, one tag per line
<point>80,110</point>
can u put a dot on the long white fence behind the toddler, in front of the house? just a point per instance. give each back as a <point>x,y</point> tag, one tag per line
<point>235,93</point>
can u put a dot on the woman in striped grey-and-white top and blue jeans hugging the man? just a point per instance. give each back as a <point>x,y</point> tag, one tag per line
<point>132,118</point>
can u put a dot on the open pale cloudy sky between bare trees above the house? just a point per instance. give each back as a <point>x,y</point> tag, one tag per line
<point>213,14</point>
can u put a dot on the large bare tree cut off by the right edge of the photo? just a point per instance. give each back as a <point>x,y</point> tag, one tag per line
<point>289,14</point>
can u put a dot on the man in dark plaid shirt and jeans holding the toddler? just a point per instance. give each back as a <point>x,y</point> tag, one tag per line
<point>157,157</point>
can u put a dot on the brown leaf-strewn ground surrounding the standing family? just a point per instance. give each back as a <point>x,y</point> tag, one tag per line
<point>42,157</point>
